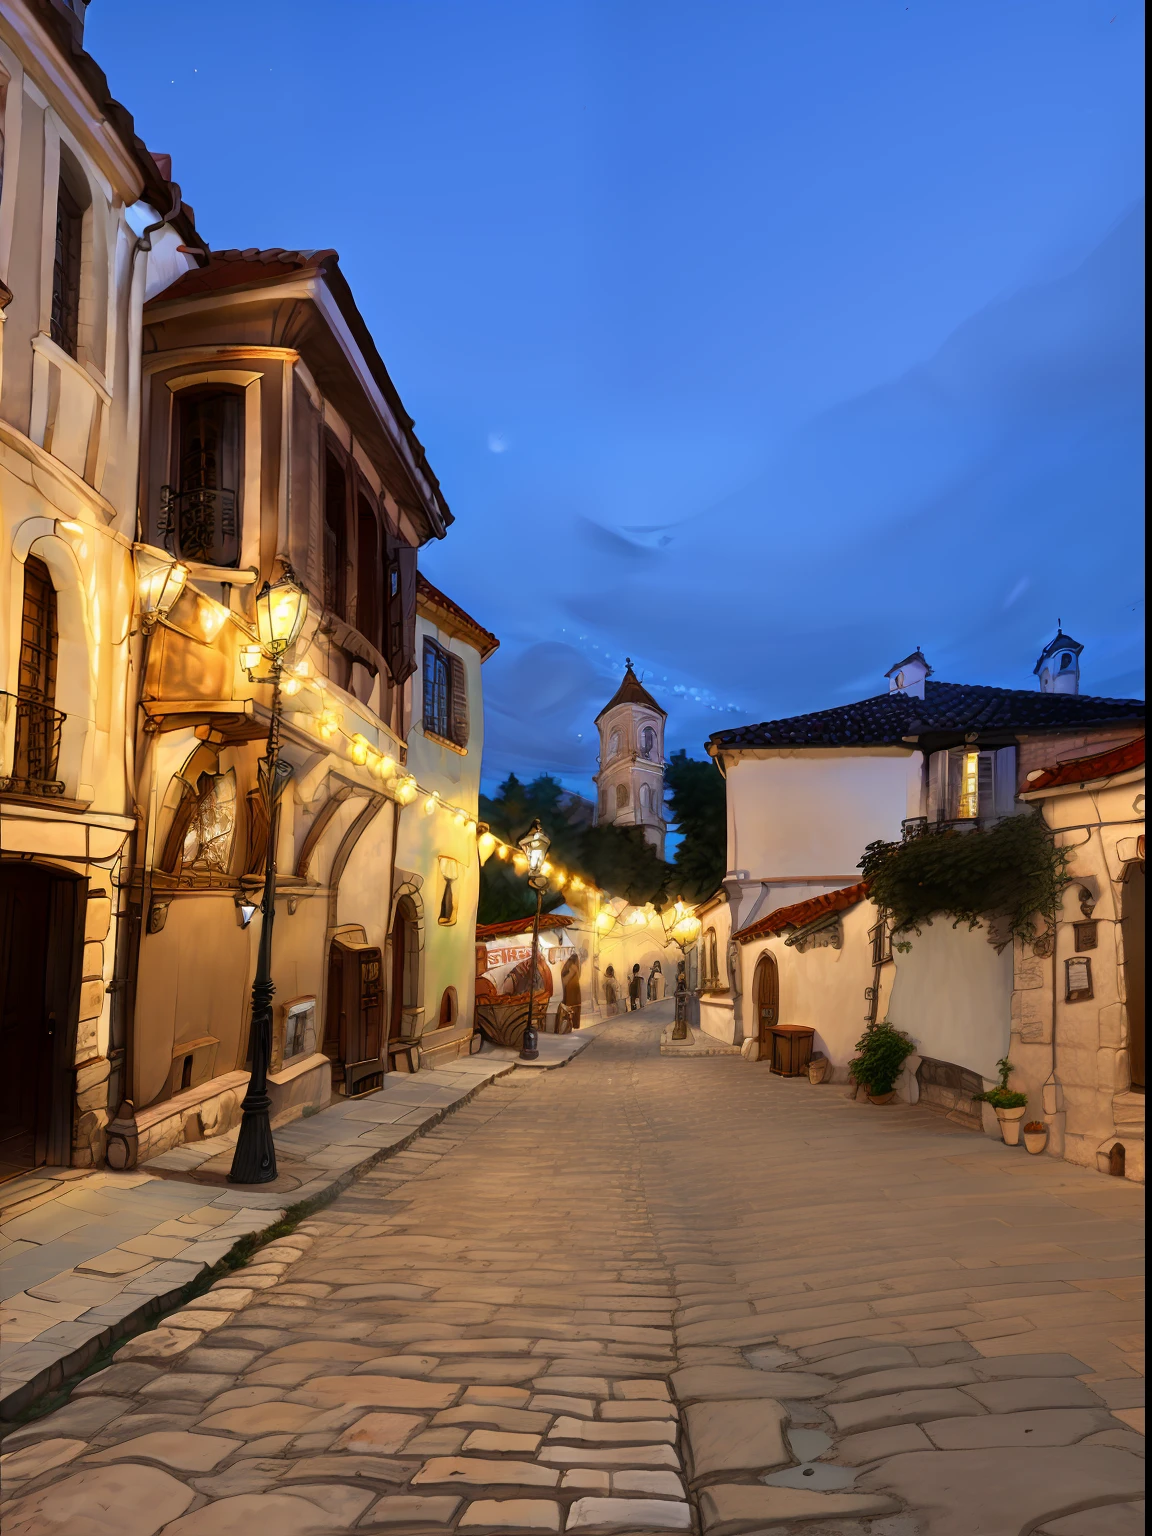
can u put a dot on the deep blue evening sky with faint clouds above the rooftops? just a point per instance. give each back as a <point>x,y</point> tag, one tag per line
<point>760,342</point>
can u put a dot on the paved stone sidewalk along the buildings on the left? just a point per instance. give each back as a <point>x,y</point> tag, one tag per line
<point>90,1256</point>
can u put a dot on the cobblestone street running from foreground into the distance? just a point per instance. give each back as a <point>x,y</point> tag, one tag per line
<point>641,1296</point>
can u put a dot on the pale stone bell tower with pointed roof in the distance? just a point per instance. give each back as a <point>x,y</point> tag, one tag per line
<point>631,783</point>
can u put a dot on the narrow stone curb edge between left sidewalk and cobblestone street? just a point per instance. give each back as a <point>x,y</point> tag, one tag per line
<point>71,1362</point>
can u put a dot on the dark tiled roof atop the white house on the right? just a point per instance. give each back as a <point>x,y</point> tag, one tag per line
<point>947,707</point>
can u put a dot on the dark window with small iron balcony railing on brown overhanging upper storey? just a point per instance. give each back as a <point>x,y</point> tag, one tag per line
<point>208,477</point>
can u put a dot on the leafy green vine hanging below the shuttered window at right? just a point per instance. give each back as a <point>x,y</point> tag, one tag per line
<point>1011,873</point>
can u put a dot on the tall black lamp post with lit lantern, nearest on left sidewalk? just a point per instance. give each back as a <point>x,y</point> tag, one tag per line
<point>282,609</point>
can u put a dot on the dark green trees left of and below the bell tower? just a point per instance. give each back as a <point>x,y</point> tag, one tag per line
<point>617,859</point>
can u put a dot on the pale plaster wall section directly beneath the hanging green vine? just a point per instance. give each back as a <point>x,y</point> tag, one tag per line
<point>953,995</point>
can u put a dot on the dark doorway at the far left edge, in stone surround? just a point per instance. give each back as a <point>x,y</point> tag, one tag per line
<point>41,950</point>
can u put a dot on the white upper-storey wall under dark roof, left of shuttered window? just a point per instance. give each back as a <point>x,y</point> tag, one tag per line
<point>812,812</point>
